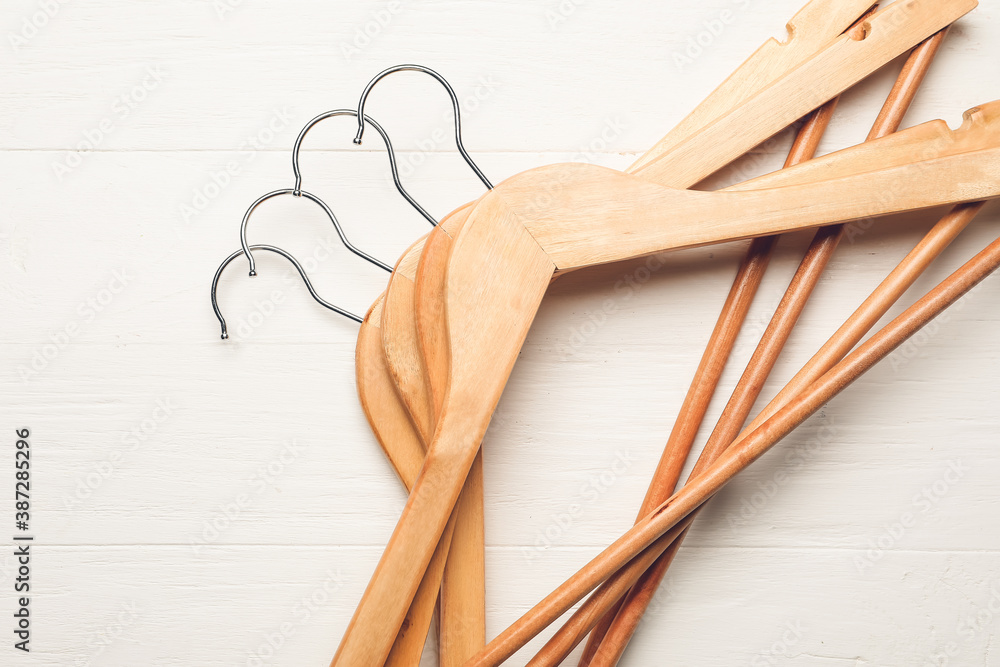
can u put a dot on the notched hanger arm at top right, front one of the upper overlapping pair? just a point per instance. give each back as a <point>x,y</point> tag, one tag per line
<point>889,33</point>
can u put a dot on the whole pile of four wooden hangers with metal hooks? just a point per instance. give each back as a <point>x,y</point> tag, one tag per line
<point>436,349</point>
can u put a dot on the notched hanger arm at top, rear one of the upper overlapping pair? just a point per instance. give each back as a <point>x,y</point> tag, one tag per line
<point>812,28</point>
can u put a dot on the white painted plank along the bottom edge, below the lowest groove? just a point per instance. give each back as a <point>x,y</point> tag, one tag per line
<point>287,606</point>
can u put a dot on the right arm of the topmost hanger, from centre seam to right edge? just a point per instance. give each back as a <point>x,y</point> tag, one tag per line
<point>597,215</point>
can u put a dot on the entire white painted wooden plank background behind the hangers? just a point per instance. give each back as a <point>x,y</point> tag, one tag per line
<point>207,503</point>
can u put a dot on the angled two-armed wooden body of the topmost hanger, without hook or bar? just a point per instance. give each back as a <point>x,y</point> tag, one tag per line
<point>569,216</point>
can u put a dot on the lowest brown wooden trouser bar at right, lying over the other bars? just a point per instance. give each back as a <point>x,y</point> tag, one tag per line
<point>672,517</point>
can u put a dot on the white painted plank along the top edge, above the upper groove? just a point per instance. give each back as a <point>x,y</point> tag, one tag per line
<point>542,84</point>
